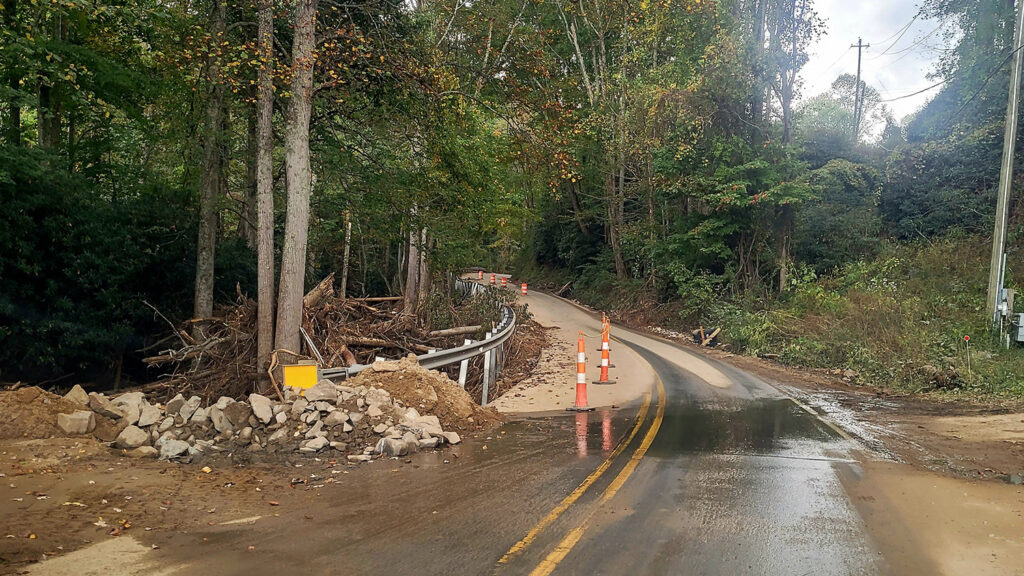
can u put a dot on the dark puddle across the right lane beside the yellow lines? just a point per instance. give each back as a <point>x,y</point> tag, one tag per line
<point>764,427</point>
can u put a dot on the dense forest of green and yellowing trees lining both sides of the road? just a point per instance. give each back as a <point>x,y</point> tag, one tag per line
<point>659,157</point>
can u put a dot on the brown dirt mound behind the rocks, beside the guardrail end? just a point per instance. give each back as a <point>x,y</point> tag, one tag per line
<point>429,392</point>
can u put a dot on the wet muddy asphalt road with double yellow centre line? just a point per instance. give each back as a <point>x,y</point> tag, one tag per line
<point>723,475</point>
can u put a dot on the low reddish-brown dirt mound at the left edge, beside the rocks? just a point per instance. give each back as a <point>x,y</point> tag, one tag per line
<point>32,413</point>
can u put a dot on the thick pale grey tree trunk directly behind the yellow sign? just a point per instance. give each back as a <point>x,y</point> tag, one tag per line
<point>293,260</point>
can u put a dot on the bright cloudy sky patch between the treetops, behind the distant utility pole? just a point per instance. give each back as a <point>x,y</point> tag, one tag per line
<point>894,66</point>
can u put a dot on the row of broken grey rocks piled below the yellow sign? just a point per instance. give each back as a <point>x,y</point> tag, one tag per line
<point>361,422</point>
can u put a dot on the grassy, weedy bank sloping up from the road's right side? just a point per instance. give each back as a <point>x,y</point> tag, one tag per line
<point>898,320</point>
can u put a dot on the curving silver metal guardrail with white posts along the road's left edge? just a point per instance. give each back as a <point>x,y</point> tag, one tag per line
<point>492,348</point>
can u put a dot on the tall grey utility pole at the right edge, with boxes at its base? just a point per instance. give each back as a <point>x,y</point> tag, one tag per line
<point>997,269</point>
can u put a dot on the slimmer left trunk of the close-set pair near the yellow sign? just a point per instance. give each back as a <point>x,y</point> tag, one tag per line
<point>265,188</point>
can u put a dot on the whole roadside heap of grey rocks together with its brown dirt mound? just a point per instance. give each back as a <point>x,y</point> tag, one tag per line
<point>392,409</point>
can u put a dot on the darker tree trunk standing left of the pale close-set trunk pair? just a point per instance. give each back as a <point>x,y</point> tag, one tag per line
<point>212,186</point>
